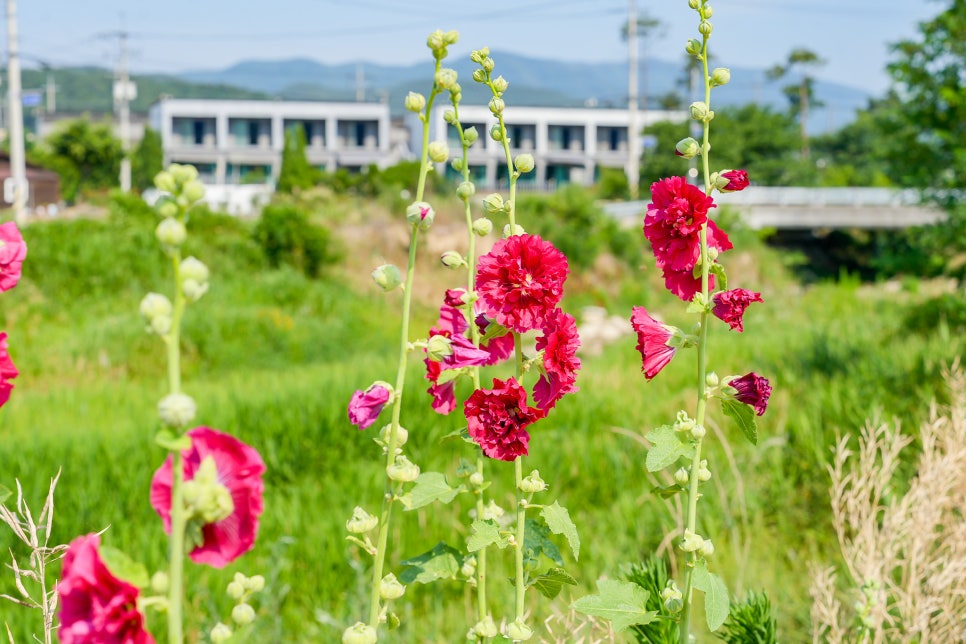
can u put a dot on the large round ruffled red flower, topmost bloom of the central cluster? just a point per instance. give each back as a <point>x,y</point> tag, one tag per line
<point>521,281</point>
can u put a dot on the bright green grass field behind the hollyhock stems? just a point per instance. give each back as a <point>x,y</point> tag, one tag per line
<point>273,357</point>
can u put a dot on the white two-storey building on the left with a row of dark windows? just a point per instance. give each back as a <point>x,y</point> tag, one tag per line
<point>236,141</point>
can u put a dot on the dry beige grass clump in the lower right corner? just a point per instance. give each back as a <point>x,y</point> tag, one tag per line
<point>904,554</point>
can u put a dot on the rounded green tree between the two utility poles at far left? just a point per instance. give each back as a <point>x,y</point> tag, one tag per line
<point>86,155</point>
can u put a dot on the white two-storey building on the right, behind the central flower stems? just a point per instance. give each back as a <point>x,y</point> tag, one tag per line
<point>569,145</point>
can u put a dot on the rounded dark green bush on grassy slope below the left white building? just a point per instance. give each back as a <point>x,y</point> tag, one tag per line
<point>286,236</point>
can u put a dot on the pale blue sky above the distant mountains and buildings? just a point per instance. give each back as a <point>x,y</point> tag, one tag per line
<point>176,35</point>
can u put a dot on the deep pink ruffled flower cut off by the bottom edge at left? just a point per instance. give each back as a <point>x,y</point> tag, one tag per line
<point>95,606</point>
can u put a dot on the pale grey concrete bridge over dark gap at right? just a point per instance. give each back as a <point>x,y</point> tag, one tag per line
<point>813,208</point>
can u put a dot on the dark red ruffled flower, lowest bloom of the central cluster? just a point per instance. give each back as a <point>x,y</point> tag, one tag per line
<point>497,419</point>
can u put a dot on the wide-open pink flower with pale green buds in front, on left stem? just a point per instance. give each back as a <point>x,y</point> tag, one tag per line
<point>237,471</point>
